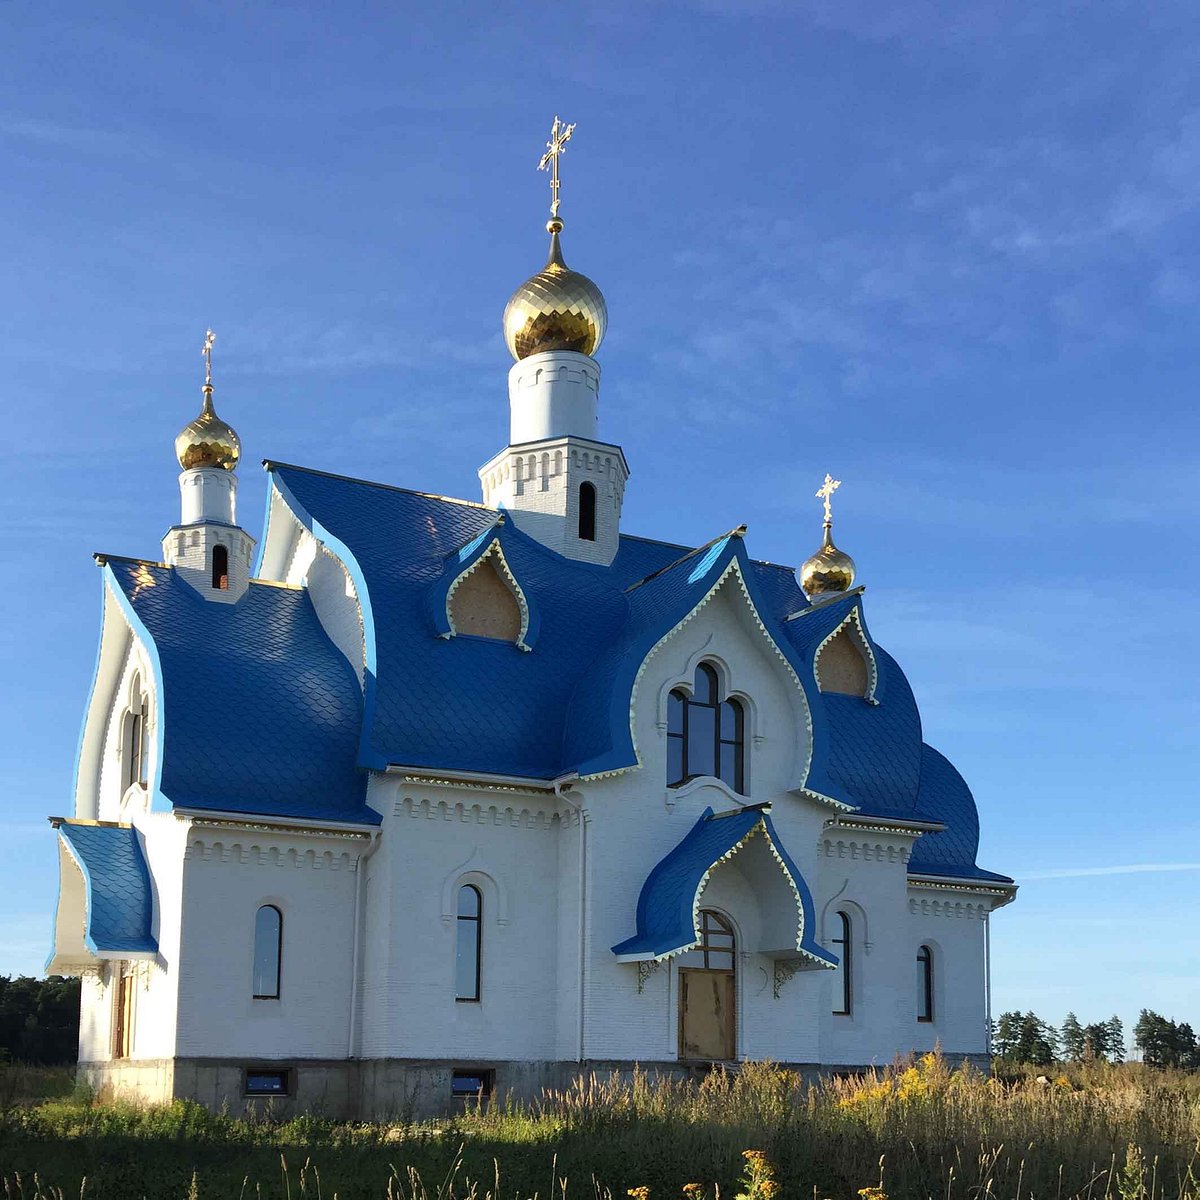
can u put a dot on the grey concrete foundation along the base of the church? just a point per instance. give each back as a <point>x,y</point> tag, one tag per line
<point>377,1089</point>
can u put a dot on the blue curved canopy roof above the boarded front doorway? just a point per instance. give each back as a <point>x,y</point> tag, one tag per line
<point>667,904</point>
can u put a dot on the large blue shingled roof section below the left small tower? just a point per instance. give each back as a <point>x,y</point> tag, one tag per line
<point>260,711</point>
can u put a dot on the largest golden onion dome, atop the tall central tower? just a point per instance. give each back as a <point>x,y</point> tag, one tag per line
<point>555,310</point>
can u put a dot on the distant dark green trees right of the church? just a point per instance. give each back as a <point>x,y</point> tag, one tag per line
<point>1025,1037</point>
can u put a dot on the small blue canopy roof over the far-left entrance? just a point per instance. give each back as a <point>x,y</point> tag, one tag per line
<point>119,904</point>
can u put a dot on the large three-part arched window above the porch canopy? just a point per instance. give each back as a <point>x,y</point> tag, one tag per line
<point>706,736</point>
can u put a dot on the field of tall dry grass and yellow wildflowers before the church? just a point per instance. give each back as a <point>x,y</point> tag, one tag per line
<point>917,1131</point>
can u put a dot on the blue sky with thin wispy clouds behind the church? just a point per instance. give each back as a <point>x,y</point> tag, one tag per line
<point>946,253</point>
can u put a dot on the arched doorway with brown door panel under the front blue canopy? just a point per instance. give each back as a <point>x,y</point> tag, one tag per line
<point>709,991</point>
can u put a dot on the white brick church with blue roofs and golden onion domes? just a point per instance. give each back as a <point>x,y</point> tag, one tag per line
<point>419,799</point>
